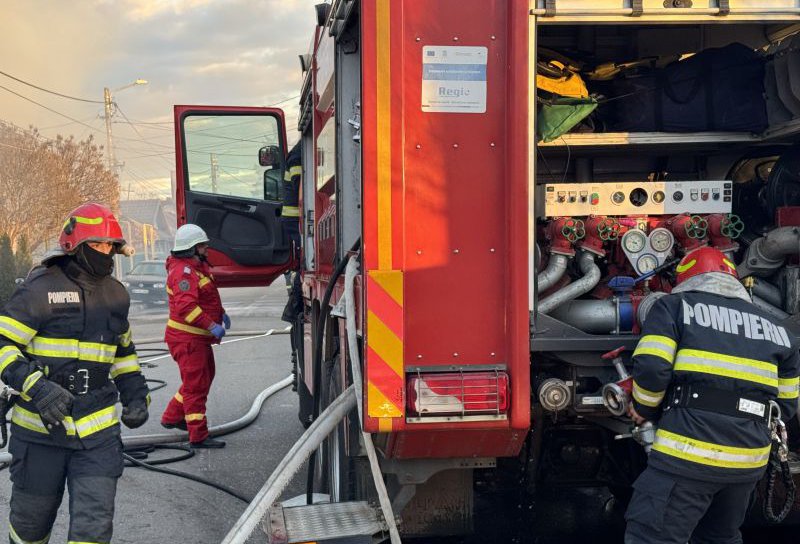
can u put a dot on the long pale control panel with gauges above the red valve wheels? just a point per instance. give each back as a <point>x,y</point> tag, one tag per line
<point>636,198</point>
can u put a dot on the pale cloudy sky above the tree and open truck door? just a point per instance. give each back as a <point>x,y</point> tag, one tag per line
<point>218,52</point>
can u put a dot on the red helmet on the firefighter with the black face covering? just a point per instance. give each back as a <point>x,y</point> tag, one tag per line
<point>90,222</point>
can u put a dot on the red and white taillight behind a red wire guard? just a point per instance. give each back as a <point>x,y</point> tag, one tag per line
<point>457,394</point>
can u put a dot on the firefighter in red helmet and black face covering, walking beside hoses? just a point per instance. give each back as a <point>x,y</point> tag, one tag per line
<point>65,346</point>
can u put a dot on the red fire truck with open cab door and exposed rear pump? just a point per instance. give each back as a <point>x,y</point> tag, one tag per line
<point>497,267</point>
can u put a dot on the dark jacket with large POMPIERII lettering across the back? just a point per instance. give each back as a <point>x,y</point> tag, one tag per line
<point>705,370</point>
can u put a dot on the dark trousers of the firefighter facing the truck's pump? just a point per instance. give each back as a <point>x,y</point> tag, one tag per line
<point>670,509</point>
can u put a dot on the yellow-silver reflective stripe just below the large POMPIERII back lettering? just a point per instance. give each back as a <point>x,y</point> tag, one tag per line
<point>719,364</point>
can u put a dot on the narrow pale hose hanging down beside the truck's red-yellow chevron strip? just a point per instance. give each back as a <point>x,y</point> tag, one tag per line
<point>355,365</point>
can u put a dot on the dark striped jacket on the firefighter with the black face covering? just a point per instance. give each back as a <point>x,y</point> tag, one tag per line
<point>65,325</point>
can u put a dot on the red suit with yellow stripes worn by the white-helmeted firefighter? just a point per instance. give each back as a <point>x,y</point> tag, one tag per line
<point>194,307</point>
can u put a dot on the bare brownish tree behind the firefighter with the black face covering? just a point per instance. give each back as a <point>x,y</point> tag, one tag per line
<point>42,180</point>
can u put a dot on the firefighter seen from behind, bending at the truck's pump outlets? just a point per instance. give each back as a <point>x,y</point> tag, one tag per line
<point>706,370</point>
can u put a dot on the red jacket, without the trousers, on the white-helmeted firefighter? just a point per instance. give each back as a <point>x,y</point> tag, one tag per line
<point>194,302</point>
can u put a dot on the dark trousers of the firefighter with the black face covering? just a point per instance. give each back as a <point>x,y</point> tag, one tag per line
<point>39,474</point>
